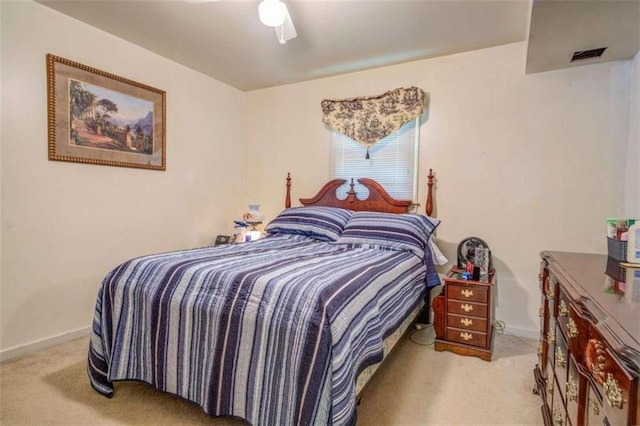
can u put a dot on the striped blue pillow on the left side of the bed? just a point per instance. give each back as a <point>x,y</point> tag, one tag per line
<point>322,223</point>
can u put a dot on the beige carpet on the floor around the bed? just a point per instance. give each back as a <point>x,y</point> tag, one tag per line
<point>417,386</point>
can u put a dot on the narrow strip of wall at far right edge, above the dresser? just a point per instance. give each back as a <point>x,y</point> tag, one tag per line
<point>632,190</point>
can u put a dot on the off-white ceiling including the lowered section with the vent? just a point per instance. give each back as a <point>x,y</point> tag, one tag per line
<point>225,39</point>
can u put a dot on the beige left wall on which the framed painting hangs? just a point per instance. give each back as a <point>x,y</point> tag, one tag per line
<point>65,225</point>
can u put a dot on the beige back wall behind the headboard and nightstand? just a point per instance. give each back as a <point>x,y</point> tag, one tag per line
<point>525,162</point>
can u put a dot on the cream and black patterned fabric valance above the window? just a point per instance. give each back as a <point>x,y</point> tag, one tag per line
<point>367,120</point>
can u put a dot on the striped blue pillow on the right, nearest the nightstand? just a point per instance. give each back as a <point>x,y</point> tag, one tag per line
<point>397,231</point>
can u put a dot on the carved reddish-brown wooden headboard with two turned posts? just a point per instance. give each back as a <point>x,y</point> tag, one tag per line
<point>379,200</point>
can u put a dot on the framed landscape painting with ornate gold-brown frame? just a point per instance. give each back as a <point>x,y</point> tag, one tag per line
<point>100,118</point>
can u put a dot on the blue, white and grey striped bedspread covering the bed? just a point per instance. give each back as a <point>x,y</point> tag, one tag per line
<point>274,331</point>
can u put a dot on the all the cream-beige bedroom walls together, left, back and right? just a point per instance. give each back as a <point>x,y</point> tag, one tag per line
<point>526,162</point>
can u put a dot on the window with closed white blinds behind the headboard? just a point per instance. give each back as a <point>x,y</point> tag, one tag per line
<point>393,162</point>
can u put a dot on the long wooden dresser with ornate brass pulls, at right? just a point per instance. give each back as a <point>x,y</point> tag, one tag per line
<point>589,353</point>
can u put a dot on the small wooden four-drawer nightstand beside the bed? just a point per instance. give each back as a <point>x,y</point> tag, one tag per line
<point>463,315</point>
